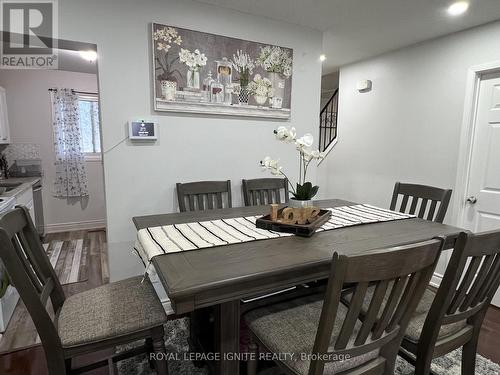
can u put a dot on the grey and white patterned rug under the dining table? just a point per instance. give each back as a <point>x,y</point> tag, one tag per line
<point>176,334</point>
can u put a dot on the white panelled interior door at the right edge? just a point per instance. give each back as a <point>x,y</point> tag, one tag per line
<point>482,210</point>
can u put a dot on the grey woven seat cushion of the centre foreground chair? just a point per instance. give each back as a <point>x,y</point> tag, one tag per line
<point>290,327</point>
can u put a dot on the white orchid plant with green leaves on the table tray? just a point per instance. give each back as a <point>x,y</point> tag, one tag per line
<point>303,190</point>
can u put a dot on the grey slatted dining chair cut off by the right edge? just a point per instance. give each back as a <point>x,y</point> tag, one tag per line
<point>452,316</point>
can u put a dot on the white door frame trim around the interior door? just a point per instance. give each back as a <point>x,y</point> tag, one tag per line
<point>465,150</point>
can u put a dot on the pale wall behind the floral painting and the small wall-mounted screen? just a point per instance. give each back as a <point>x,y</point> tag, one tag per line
<point>140,180</point>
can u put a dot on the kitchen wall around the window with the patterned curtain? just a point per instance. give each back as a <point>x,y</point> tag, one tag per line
<point>29,106</point>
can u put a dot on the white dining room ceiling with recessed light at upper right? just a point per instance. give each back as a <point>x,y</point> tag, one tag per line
<point>359,29</point>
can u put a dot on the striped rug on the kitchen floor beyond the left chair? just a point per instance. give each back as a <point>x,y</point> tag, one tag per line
<point>69,259</point>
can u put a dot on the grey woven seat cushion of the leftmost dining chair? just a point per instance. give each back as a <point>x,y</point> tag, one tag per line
<point>109,311</point>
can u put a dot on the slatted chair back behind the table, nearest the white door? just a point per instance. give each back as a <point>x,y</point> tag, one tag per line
<point>425,194</point>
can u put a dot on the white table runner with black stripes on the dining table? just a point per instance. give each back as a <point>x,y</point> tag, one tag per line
<point>204,234</point>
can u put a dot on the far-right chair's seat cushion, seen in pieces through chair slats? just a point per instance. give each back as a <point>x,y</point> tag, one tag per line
<point>418,319</point>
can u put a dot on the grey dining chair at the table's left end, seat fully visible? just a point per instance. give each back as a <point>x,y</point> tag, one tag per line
<point>110,315</point>
